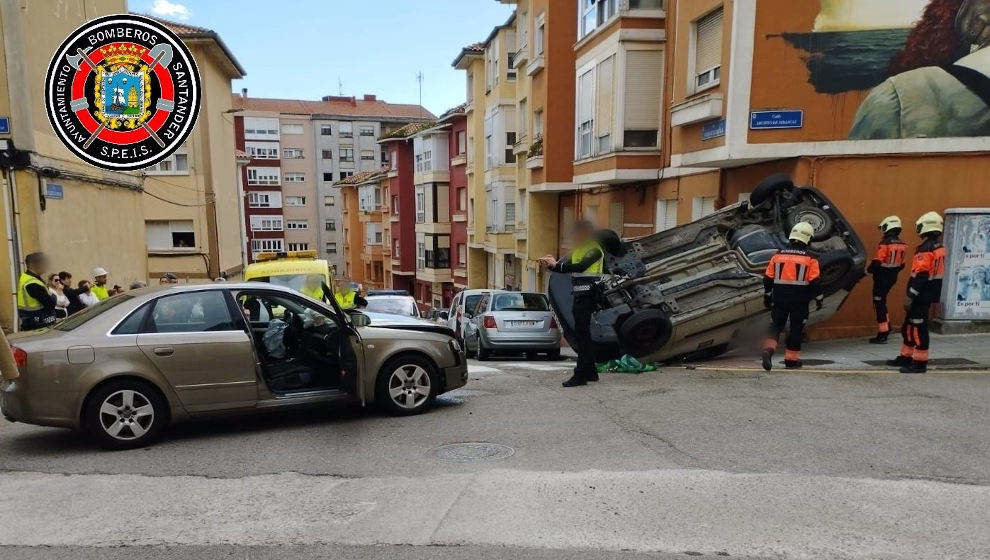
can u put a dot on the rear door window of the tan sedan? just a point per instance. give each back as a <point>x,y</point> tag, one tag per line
<point>204,311</point>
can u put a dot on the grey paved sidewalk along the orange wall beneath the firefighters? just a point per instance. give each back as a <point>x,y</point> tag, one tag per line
<point>949,353</point>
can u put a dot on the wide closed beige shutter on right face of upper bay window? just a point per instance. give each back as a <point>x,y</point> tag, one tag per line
<point>642,99</point>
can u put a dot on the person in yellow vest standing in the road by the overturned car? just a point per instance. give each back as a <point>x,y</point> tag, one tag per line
<point>587,259</point>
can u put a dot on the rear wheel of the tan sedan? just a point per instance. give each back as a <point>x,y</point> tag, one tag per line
<point>126,414</point>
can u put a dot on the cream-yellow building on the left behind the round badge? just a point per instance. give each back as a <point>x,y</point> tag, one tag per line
<point>179,216</point>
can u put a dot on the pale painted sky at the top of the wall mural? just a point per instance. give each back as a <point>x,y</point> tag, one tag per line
<point>847,15</point>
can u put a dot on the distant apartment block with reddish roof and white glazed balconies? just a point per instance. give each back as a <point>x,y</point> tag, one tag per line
<point>299,149</point>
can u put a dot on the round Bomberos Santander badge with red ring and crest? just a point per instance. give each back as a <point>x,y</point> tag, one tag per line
<point>122,92</point>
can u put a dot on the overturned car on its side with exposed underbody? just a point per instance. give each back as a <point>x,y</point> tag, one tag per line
<point>697,289</point>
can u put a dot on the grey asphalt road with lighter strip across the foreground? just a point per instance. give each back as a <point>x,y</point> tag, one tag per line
<point>676,464</point>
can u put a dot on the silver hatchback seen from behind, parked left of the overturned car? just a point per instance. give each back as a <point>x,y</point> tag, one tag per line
<point>512,322</point>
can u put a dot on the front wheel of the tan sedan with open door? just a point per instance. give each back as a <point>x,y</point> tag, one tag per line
<point>407,384</point>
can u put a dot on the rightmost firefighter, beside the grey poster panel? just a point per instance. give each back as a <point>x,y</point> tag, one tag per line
<point>924,289</point>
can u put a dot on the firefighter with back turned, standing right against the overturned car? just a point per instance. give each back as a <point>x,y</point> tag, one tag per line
<point>790,283</point>
